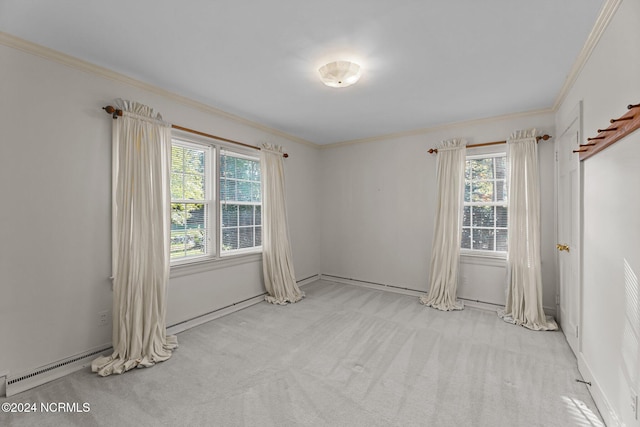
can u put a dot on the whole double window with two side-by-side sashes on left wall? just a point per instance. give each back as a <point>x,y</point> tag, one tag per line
<point>205,222</point>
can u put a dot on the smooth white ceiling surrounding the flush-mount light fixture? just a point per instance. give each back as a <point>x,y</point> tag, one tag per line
<point>425,62</point>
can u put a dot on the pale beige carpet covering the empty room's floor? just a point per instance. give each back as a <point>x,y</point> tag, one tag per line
<point>344,356</point>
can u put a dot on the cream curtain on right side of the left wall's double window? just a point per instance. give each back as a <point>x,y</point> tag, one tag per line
<point>277,261</point>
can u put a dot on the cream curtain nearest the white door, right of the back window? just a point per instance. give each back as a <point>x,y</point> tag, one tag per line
<point>524,273</point>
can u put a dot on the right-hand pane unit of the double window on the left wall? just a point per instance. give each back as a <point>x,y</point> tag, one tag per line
<point>240,204</point>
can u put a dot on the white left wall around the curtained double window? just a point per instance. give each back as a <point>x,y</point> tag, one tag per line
<point>55,241</point>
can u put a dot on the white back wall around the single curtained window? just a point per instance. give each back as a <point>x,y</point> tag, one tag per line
<point>377,209</point>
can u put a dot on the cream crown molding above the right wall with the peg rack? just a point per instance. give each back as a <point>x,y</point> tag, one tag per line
<point>604,18</point>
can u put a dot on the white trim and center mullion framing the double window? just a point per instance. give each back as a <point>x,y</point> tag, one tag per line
<point>215,259</point>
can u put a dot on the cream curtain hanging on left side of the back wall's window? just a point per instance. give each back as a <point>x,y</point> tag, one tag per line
<point>445,253</point>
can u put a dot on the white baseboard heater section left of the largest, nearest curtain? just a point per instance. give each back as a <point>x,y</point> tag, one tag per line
<point>47,373</point>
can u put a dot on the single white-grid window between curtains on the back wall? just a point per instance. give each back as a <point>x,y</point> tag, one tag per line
<point>484,223</point>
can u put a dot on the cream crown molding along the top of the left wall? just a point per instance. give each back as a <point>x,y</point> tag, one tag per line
<point>73,62</point>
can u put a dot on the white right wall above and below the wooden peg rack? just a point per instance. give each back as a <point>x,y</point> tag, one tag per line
<point>610,356</point>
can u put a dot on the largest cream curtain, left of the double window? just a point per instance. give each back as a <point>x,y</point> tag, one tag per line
<point>141,226</point>
